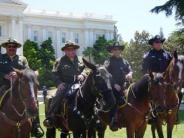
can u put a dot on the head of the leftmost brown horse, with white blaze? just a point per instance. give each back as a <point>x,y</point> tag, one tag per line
<point>27,84</point>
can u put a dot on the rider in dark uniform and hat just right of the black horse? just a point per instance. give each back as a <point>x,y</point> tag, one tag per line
<point>121,71</point>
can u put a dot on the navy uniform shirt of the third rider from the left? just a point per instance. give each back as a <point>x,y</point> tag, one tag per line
<point>119,68</point>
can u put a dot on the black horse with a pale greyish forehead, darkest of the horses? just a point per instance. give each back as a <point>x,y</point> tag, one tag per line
<point>80,108</point>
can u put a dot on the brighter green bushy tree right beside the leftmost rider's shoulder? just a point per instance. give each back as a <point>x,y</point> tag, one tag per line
<point>31,52</point>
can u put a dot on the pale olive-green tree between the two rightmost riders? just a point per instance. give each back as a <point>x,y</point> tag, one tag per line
<point>135,51</point>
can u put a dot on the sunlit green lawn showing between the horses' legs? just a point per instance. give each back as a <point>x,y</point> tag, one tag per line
<point>177,133</point>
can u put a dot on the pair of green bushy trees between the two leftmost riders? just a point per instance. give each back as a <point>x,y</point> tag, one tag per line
<point>41,59</point>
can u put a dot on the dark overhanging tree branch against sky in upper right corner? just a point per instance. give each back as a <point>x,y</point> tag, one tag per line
<point>169,7</point>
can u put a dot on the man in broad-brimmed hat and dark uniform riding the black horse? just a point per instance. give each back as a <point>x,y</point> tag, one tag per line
<point>67,70</point>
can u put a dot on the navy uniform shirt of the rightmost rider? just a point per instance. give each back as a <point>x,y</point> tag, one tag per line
<point>156,61</point>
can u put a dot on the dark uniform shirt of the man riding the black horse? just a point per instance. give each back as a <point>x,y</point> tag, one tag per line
<point>66,70</point>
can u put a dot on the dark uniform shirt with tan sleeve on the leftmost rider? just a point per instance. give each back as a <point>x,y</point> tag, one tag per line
<point>7,64</point>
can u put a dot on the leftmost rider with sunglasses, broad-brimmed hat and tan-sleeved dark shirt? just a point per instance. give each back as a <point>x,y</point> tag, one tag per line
<point>8,62</point>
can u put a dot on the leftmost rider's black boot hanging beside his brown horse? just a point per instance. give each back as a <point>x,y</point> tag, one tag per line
<point>37,131</point>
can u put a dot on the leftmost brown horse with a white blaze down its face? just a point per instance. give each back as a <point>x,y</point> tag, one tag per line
<point>19,106</point>
